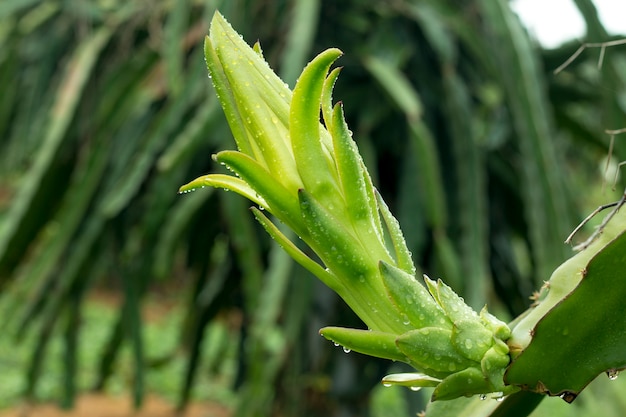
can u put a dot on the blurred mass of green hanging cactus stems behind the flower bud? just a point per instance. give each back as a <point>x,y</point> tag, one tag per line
<point>112,283</point>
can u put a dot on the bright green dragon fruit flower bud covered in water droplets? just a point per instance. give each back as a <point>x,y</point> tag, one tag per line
<point>310,176</point>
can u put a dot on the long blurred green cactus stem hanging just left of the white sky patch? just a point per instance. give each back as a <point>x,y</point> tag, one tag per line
<point>543,188</point>
